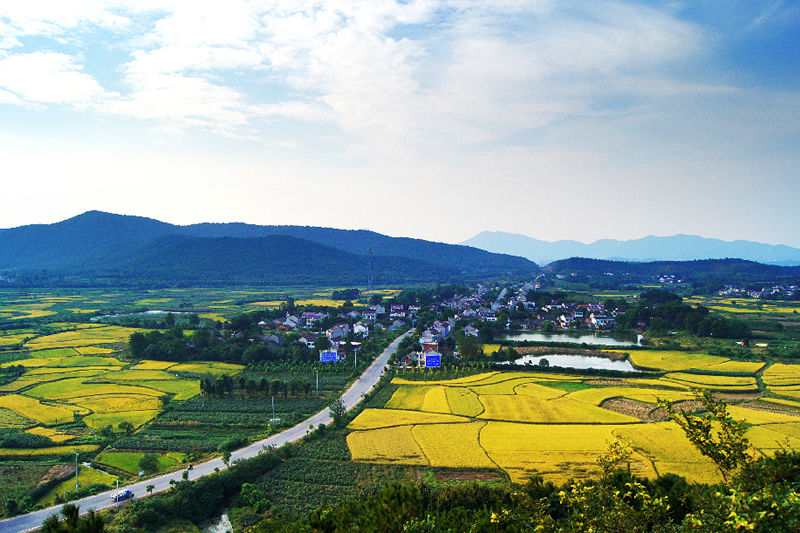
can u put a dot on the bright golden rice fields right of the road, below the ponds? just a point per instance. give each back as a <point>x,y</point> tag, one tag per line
<point>515,422</point>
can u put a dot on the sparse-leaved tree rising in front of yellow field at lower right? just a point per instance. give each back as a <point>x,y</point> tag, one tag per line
<point>717,435</point>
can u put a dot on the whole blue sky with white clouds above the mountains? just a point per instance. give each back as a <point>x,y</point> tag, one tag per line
<point>431,119</point>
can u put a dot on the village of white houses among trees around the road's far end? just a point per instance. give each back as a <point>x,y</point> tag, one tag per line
<point>440,326</point>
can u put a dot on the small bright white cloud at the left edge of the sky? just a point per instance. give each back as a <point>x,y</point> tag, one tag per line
<point>47,78</point>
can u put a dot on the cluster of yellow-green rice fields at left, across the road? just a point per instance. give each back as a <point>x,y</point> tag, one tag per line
<point>71,375</point>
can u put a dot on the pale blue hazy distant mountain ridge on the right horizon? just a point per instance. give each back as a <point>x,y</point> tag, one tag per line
<point>646,249</point>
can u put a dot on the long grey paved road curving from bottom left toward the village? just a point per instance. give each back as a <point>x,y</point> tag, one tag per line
<point>350,398</point>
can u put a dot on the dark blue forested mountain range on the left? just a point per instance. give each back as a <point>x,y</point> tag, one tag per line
<point>103,246</point>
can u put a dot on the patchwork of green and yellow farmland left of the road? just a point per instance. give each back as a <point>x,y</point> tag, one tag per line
<point>67,379</point>
